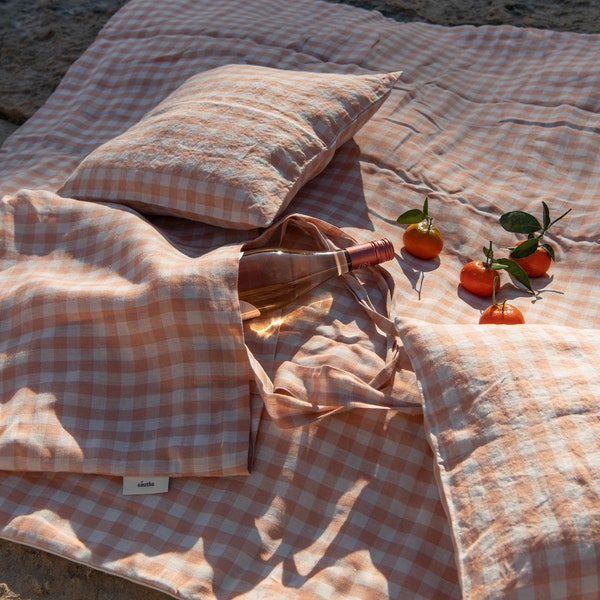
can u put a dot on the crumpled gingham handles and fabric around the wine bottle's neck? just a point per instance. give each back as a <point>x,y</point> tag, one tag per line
<point>324,373</point>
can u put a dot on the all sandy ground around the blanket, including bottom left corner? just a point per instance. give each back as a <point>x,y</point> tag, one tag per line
<point>39,39</point>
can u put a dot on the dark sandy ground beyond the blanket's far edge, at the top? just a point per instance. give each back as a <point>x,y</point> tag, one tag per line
<point>39,39</point>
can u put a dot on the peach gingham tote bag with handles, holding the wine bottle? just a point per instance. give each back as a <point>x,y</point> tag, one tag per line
<point>126,356</point>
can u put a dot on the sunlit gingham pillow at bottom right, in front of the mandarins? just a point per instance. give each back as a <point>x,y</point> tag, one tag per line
<point>513,417</point>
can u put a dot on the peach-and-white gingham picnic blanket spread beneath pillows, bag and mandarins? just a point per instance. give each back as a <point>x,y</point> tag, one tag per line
<point>483,120</point>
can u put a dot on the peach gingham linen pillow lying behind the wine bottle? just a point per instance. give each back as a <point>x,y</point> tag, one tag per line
<point>231,146</point>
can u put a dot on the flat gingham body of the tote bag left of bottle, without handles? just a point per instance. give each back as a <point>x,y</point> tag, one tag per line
<point>119,355</point>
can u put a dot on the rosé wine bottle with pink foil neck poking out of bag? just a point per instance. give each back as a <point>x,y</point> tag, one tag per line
<point>271,278</point>
